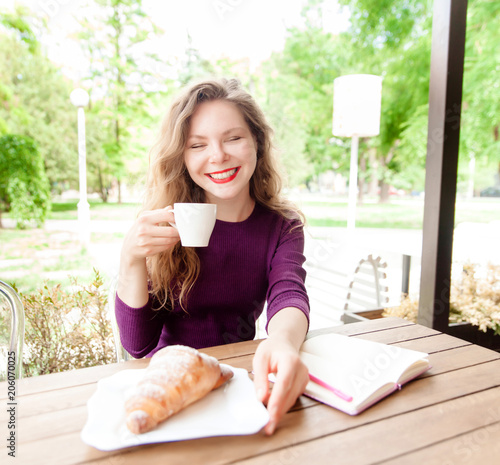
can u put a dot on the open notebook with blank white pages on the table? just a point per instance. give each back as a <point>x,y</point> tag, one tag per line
<point>362,372</point>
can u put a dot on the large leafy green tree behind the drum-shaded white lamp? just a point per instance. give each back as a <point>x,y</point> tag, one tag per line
<point>390,39</point>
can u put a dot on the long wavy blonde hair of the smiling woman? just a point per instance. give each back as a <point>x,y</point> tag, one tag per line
<point>172,273</point>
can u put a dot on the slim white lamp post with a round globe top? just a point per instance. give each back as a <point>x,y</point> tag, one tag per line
<point>80,99</point>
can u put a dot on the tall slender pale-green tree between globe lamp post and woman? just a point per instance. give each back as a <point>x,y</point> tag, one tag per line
<point>118,85</point>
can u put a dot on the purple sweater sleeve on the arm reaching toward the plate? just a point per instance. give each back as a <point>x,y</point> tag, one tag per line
<point>287,275</point>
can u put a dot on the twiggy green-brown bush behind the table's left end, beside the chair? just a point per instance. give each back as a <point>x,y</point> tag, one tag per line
<point>67,329</point>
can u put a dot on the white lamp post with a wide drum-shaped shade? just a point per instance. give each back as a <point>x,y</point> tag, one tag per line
<point>357,101</point>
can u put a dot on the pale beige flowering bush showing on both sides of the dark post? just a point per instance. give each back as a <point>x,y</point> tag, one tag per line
<point>474,299</point>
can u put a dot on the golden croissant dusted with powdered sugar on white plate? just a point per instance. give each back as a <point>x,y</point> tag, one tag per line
<point>176,377</point>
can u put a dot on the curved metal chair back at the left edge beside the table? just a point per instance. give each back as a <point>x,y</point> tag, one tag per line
<point>16,341</point>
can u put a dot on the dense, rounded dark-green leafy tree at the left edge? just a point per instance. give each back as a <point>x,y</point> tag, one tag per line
<point>24,188</point>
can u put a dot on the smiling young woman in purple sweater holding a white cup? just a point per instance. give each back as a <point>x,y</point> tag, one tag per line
<point>215,147</point>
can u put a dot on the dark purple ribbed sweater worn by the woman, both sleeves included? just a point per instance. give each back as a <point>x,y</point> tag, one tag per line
<point>245,265</point>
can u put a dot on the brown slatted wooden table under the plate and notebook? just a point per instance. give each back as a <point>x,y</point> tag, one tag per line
<point>451,415</point>
